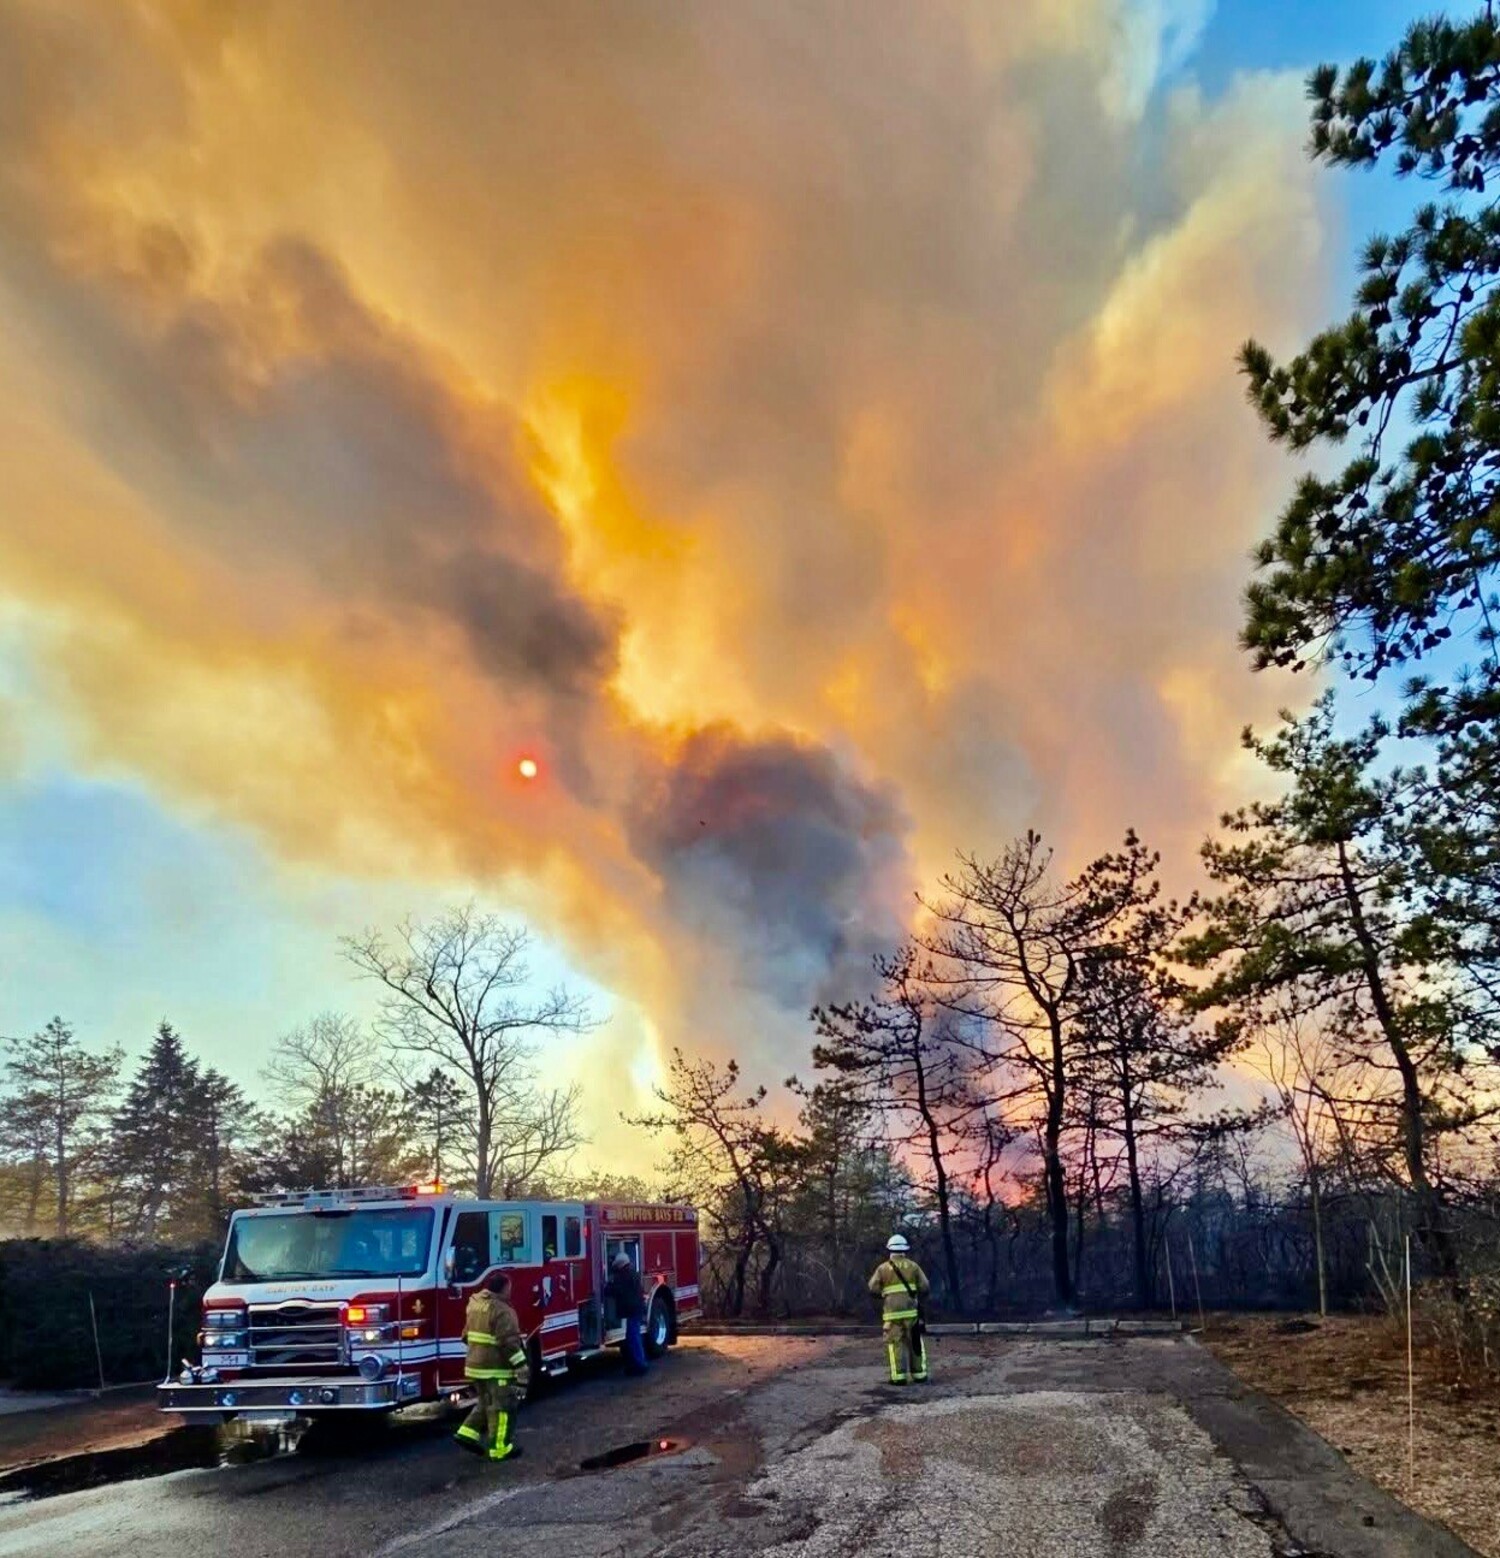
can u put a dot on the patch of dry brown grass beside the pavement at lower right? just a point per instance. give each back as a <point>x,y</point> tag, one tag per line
<point>1348,1383</point>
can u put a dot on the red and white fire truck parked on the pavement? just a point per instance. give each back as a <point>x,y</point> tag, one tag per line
<point>354,1300</point>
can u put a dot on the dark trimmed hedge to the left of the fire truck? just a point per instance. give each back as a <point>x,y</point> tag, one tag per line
<point>46,1336</point>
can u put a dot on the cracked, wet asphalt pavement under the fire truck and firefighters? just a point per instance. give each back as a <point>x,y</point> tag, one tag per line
<point>795,1448</point>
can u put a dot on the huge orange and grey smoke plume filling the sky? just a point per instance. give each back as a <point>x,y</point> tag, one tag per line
<point>809,435</point>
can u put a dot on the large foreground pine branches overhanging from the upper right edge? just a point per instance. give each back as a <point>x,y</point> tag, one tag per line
<point>1392,563</point>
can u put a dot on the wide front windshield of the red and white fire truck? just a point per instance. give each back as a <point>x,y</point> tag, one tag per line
<point>283,1247</point>
